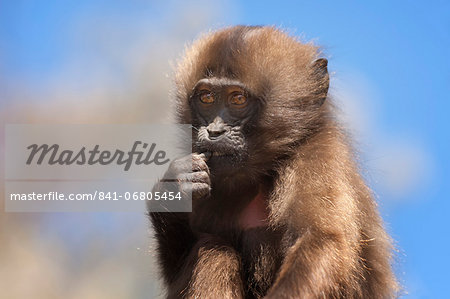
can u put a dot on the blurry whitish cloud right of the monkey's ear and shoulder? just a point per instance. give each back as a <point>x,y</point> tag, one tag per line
<point>397,165</point>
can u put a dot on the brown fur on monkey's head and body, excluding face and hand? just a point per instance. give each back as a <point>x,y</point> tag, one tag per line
<point>325,238</point>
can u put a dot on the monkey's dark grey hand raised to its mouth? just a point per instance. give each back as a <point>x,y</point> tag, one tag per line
<point>191,174</point>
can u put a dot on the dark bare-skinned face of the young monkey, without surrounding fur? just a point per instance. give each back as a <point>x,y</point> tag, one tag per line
<point>224,115</point>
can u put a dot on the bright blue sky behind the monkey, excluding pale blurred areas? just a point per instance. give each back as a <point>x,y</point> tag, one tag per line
<point>400,48</point>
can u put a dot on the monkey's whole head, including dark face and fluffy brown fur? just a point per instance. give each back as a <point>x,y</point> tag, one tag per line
<point>253,96</point>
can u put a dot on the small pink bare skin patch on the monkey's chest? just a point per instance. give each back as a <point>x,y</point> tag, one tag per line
<point>256,213</point>
